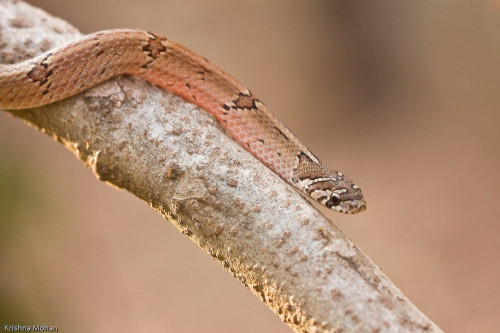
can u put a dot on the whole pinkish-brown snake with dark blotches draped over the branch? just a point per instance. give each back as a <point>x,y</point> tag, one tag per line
<point>68,70</point>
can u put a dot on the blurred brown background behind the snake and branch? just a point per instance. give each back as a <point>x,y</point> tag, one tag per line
<point>403,96</point>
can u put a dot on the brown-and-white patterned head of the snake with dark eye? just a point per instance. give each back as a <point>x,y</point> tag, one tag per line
<point>330,188</point>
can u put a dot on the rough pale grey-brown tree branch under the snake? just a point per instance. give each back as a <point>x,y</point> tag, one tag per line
<point>179,160</point>
